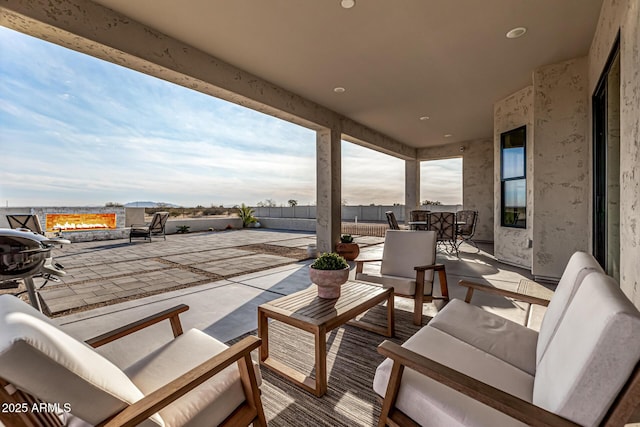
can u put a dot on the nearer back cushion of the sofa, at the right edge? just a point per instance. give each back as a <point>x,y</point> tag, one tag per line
<point>592,354</point>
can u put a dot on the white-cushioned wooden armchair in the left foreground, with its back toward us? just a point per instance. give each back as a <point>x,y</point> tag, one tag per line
<point>194,380</point>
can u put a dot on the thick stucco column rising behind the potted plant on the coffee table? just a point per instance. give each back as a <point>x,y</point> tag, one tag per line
<point>328,188</point>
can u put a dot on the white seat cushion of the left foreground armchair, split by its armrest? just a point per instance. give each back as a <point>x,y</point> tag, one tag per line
<point>208,404</point>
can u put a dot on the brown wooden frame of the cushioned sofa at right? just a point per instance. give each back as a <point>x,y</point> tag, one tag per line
<point>619,413</point>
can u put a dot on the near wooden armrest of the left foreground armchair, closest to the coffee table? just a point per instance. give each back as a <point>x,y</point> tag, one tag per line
<point>142,409</point>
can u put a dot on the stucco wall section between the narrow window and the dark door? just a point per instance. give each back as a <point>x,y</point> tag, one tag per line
<point>561,184</point>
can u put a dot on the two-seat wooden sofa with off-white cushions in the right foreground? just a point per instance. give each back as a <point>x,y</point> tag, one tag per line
<point>469,367</point>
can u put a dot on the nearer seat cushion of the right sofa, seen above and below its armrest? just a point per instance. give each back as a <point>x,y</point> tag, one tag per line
<point>430,403</point>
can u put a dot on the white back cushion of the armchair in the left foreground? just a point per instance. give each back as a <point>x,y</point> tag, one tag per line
<point>39,358</point>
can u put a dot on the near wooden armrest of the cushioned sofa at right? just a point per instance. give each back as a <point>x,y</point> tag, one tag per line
<point>482,392</point>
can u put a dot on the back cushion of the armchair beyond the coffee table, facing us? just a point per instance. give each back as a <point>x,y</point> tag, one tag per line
<point>403,250</point>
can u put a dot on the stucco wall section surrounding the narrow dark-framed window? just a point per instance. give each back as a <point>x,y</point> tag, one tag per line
<point>512,245</point>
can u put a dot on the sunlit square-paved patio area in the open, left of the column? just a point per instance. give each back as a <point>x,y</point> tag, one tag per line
<point>106,271</point>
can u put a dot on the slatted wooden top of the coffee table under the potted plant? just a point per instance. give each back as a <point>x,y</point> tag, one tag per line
<point>307,307</point>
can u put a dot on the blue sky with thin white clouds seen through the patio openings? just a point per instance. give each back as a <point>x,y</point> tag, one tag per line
<point>75,130</point>
